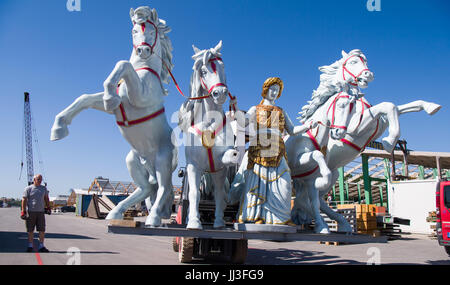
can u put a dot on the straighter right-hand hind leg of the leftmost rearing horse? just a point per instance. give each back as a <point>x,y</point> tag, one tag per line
<point>162,207</point>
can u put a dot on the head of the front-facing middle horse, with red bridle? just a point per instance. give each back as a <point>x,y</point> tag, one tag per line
<point>208,78</point>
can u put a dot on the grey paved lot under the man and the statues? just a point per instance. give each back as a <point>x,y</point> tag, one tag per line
<point>97,247</point>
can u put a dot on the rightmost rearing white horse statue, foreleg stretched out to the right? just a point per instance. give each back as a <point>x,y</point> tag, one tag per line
<point>367,123</point>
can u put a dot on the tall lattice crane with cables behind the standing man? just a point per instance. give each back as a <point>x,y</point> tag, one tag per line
<point>27,139</point>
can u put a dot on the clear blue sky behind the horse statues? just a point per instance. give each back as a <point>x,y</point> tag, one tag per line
<point>58,55</point>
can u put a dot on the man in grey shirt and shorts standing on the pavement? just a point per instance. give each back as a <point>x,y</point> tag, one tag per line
<point>36,202</point>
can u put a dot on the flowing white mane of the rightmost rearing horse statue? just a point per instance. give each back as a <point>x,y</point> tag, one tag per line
<point>331,82</point>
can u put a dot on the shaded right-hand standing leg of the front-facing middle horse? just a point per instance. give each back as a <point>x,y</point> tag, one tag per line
<point>220,197</point>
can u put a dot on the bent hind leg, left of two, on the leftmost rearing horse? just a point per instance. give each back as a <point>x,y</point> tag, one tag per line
<point>140,177</point>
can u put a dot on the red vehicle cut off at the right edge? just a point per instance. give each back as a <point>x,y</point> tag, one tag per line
<point>443,214</point>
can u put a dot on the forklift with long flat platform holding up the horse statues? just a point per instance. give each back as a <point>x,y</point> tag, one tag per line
<point>230,242</point>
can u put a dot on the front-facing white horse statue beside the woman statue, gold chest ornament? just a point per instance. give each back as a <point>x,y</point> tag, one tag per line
<point>209,136</point>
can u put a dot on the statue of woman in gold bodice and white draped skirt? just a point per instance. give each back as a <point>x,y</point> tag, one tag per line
<point>267,180</point>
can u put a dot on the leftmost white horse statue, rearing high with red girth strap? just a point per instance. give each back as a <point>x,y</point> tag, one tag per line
<point>134,93</point>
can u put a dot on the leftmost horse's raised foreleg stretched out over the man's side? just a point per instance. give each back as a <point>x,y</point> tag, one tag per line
<point>64,118</point>
